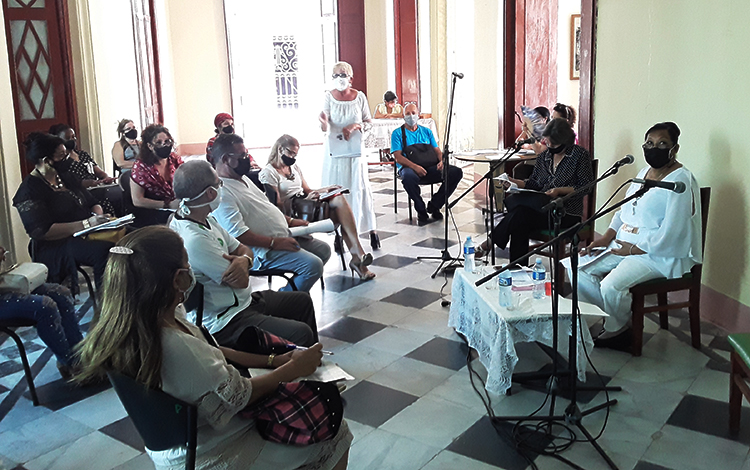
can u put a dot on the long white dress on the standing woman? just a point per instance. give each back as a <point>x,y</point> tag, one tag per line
<point>342,163</point>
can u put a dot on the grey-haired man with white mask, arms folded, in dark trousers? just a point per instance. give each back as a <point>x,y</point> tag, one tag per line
<point>220,263</point>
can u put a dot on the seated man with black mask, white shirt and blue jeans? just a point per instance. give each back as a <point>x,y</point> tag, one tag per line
<point>247,214</point>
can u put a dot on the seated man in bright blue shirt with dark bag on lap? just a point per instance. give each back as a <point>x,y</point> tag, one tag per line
<point>421,162</point>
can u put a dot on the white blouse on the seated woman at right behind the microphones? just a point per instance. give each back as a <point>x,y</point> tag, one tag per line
<point>664,224</point>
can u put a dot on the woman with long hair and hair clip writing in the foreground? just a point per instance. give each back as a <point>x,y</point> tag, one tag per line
<point>142,333</point>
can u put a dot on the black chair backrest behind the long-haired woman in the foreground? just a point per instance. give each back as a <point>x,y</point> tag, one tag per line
<point>162,420</point>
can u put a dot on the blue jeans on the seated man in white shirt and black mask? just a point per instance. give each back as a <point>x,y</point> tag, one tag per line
<point>307,263</point>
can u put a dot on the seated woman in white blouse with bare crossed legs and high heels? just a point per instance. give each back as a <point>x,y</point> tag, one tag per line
<point>284,176</point>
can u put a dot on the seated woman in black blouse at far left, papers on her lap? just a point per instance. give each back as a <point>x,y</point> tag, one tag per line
<point>53,206</point>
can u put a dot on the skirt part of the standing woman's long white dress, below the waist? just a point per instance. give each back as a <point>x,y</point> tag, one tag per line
<point>351,172</point>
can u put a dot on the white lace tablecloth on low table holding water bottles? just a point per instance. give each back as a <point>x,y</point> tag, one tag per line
<point>493,330</point>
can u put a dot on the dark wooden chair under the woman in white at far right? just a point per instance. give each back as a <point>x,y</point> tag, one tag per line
<point>661,287</point>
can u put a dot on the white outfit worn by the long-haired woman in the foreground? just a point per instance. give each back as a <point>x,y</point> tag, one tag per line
<point>196,372</point>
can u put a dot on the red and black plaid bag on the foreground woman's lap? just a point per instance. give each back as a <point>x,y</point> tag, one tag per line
<point>299,413</point>
